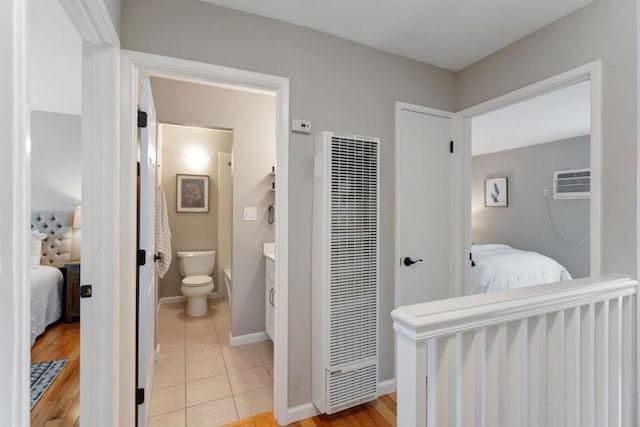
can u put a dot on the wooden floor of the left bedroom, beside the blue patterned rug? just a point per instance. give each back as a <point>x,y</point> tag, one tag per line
<point>60,405</point>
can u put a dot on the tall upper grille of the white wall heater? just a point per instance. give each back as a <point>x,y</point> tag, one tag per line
<point>353,250</point>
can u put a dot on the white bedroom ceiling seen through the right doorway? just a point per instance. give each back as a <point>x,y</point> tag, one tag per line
<point>558,115</point>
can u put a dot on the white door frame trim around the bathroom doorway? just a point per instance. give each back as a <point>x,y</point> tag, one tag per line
<point>181,69</point>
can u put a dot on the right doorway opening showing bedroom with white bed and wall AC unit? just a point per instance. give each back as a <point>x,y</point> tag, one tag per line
<point>530,189</point>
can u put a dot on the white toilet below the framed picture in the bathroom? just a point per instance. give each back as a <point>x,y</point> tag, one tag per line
<point>196,268</point>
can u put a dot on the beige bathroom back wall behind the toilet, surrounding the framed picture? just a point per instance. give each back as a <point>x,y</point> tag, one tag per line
<point>184,151</point>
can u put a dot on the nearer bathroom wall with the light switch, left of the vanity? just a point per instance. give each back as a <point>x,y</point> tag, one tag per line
<point>252,117</point>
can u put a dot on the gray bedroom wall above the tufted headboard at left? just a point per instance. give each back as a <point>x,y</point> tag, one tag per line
<point>56,169</point>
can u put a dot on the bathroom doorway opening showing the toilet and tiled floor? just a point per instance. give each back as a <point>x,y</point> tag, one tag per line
<point>221,133</point>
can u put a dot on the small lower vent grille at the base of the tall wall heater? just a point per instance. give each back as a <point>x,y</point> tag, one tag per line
<point>353,387</point>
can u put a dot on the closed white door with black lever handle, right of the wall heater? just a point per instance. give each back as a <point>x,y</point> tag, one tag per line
<point>423,207</point>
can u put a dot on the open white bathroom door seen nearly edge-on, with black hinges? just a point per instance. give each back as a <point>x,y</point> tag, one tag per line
<point>147,278</point>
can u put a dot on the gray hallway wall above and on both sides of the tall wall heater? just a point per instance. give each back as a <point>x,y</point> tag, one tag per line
<point>338,85</point>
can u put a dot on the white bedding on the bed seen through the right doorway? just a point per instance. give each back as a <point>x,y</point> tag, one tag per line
<point>500,267</point>
